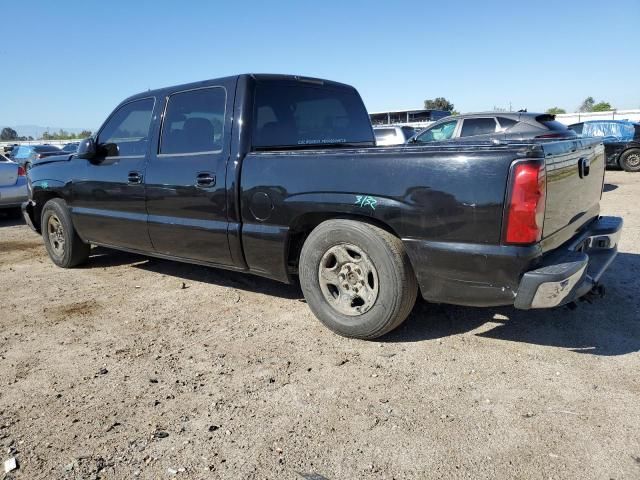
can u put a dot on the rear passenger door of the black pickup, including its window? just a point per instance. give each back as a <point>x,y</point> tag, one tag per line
<point>185,179</point>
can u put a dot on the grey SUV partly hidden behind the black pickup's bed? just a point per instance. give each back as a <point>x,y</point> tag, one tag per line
<point>494,125</point>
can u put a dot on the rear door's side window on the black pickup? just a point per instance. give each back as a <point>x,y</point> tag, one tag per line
<point>194,122</point>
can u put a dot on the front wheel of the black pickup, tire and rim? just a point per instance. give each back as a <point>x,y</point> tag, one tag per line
<point>63,244</point>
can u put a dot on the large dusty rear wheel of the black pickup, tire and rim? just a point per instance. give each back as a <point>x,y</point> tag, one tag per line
<point>395,282</point>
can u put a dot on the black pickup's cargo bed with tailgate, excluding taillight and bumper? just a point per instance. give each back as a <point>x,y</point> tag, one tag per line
<point>447,199</point>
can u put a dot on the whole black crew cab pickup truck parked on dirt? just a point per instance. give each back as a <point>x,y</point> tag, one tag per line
<point>279,176</point>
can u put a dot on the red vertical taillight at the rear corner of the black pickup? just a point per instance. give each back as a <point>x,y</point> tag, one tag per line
<point>525,214</point>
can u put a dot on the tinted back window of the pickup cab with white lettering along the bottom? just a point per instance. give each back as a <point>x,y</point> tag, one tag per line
<point>295,115</point>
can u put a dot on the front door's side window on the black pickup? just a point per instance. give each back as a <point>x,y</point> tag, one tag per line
<point>127,130</point>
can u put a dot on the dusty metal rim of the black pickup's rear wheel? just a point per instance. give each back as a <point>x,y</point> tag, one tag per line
<point>348,279</point>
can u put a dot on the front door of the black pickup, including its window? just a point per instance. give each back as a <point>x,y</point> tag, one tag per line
<point>108,200</point>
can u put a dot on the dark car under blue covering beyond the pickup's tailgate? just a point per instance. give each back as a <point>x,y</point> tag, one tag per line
<point>621,140</point>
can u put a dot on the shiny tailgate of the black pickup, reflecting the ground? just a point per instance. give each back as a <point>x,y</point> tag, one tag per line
<point>575,174</point>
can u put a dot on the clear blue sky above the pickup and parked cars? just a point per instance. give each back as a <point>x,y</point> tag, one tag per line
<point>68,63</point>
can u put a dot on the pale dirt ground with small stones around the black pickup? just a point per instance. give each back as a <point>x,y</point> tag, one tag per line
<point>116,370</point>
